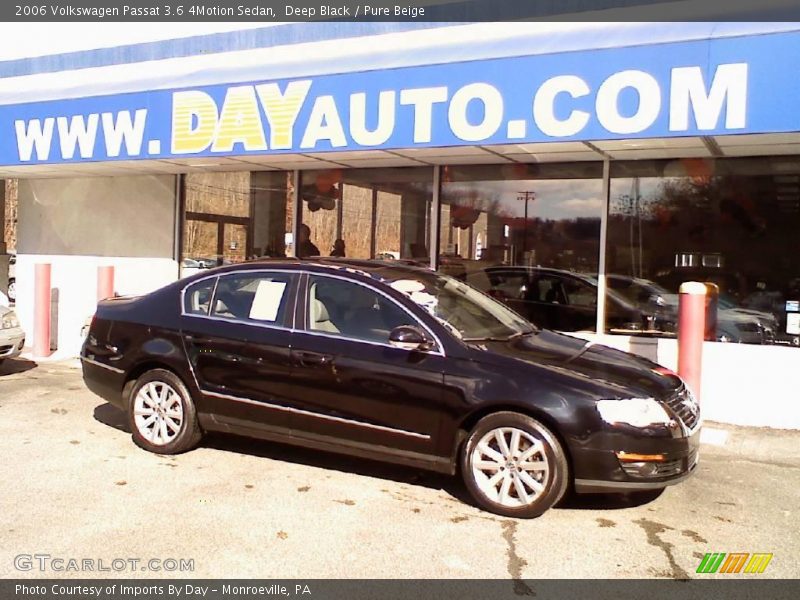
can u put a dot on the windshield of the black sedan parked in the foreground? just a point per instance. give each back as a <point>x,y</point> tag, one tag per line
<point>469,314</point>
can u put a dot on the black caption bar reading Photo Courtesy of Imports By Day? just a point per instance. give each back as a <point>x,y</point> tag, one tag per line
<point>317,589</point>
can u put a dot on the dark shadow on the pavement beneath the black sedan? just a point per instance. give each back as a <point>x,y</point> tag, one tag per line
<point>113,417</point>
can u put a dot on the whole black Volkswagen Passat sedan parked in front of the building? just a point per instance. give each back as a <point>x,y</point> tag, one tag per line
<point>396,363</point>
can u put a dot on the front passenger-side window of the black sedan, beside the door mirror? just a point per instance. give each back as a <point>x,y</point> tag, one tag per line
<point>352,310</point>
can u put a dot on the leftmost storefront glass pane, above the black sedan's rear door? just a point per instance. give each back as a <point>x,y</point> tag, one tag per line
<point>233,216</point>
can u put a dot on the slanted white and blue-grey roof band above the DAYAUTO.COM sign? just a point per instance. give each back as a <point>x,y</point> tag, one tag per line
<point>313,49</point>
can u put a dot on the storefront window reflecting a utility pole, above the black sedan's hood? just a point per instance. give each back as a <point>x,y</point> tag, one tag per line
<point>528,235</point>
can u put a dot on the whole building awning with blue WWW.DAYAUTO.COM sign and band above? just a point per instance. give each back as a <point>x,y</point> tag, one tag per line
<point>483,92</point>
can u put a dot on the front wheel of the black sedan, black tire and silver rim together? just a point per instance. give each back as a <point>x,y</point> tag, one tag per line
<point>513,494</point>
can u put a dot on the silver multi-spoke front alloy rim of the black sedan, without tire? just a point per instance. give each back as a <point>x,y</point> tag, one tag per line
<point>510,467</point>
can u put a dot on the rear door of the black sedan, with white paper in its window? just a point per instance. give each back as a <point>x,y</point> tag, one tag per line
<point>237,335</point>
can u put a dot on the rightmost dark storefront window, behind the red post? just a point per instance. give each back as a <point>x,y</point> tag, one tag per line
<point>730,222</point>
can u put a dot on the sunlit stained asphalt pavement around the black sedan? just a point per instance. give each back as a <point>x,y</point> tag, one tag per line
<point>74,486</point>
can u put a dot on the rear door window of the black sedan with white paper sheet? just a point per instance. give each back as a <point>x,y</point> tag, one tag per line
<point>258,297</point>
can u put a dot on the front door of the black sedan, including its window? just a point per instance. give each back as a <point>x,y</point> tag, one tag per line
<point>353,385</point>
